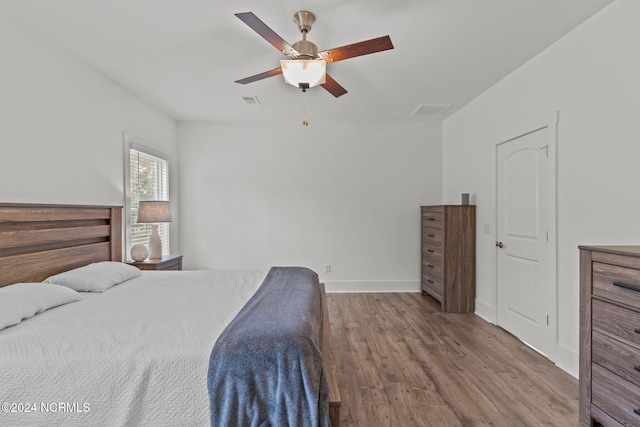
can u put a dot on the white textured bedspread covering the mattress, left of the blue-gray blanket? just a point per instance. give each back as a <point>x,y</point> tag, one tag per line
<point>136,355</point>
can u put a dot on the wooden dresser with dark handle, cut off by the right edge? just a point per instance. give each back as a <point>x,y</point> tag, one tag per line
<point>610,335</point>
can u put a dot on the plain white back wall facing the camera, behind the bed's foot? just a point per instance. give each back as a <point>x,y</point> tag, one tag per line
<point>345,194</point>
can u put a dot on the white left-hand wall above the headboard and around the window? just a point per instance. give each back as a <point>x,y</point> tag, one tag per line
<point>61,125</point>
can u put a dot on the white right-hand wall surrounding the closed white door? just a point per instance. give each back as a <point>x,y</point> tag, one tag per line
<point>591,77</point>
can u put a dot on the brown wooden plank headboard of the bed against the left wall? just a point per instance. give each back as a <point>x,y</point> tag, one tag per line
<point>39,240</point>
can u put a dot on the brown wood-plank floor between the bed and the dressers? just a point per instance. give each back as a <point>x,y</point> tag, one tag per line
<point>402,362</point>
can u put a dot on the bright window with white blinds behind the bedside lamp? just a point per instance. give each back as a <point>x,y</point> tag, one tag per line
<point>146,178</point>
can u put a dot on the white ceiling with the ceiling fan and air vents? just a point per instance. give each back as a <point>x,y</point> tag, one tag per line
<point>183,56</point>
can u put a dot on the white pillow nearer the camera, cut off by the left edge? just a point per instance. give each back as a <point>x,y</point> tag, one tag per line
<point>24,300</point>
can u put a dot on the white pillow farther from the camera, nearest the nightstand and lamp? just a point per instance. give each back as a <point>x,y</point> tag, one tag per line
<point>96,277</point>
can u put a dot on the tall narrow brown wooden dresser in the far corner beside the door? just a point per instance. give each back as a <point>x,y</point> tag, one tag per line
<point>449,256</point>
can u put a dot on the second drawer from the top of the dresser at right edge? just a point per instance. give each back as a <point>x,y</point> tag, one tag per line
<point>616,322</point>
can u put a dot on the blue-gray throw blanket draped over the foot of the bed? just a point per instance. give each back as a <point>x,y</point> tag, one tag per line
<point>266,367</point>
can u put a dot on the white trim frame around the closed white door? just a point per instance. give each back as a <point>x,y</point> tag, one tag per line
<point>550,122</point>
